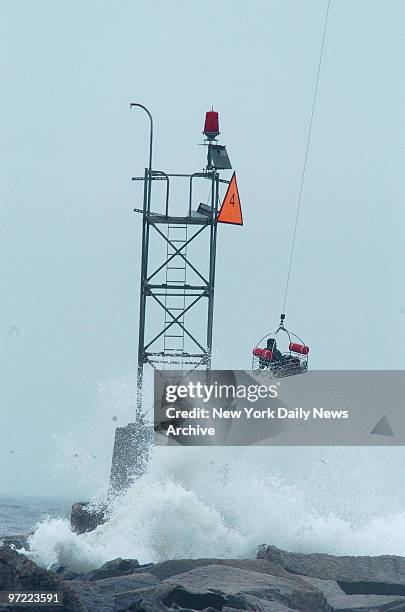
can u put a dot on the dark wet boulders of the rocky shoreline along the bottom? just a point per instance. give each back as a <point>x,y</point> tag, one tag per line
<point>276,581</point>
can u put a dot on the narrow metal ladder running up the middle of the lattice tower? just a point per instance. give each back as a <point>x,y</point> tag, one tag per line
<point>176,275</point>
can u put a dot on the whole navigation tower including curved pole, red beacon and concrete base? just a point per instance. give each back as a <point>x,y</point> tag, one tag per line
<point>176,282</point>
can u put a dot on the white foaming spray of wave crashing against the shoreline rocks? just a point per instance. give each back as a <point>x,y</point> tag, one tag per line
<point>224,502</point>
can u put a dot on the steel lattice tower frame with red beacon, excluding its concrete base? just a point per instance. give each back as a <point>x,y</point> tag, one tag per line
<point>178,283</point>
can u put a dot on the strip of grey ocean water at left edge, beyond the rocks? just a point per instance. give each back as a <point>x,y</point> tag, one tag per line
<point>20,515</point>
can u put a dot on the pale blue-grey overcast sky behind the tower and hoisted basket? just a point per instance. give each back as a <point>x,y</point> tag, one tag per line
<point>70,245</point>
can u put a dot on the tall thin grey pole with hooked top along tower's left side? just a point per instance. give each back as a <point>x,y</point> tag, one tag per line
<point>145,239</point>
